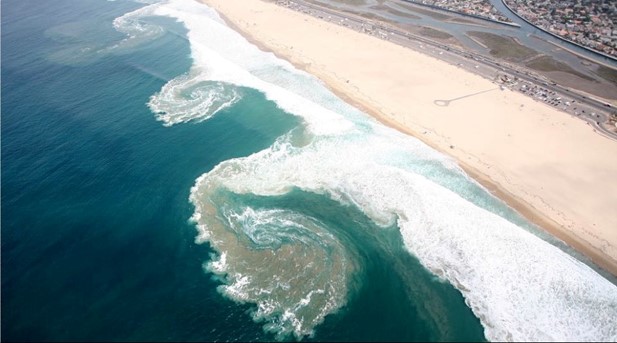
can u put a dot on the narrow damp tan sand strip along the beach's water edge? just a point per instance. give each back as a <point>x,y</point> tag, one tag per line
<point>518,203</point>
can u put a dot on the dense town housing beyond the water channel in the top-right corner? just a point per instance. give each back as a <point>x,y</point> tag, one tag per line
<point>591,24</point>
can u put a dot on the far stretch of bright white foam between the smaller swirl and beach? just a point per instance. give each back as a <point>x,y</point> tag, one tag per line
<point>221,54</point>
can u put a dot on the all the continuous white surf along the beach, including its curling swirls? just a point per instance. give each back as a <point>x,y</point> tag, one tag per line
<point>291,267</point>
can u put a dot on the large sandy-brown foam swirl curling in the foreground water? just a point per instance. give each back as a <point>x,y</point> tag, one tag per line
<point>286,263</point>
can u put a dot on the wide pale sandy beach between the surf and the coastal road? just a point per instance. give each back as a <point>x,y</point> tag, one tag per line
<point>549,166</point>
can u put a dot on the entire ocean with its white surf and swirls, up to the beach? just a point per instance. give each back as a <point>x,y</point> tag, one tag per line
<point>163,179</point>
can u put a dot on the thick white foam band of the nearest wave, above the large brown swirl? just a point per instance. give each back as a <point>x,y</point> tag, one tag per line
<point>520,287</point>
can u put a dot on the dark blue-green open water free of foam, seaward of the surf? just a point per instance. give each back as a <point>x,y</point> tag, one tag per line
<point>95,239</point>
